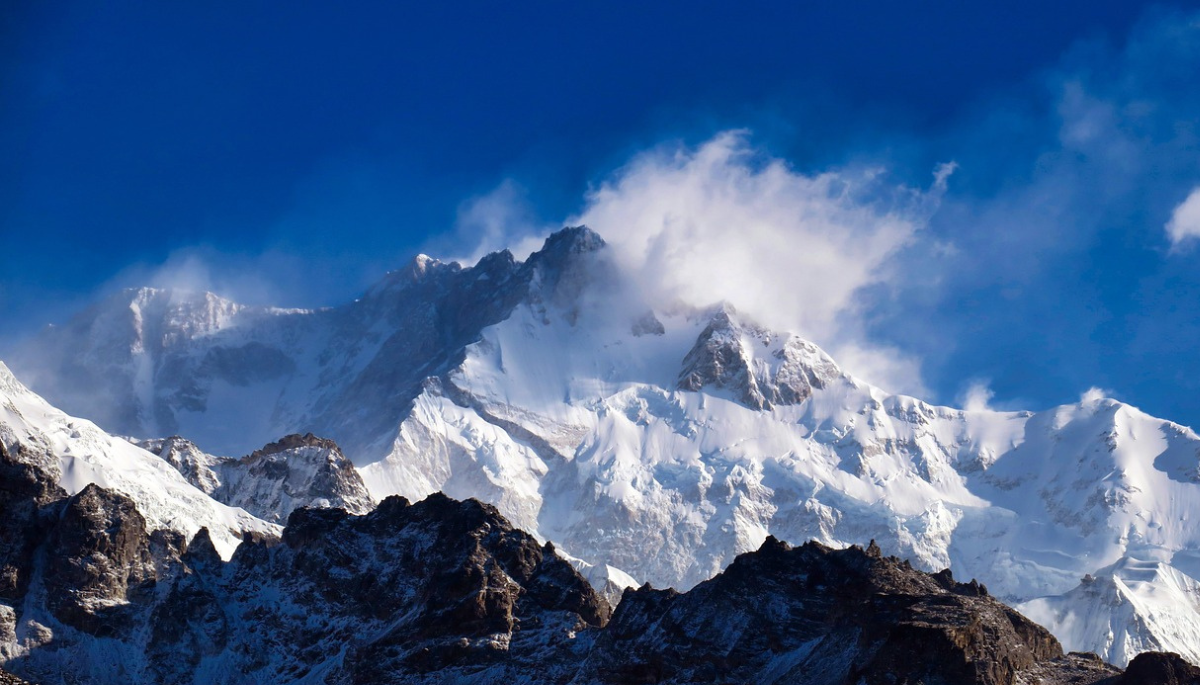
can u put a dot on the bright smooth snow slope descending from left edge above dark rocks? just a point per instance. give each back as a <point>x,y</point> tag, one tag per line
<point>77,454</point>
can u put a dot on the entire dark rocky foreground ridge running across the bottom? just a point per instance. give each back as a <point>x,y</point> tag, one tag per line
<point>449,592</point>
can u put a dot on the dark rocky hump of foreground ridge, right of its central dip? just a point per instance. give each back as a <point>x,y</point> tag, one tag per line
<point>813,615</point>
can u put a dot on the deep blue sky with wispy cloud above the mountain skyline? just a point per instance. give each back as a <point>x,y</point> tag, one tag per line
<point>292,158</point>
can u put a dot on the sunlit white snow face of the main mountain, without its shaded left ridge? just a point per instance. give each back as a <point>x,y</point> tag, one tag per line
<point>580,434</point>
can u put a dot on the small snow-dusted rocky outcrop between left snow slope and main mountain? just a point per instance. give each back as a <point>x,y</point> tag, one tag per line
<point>295,472</point>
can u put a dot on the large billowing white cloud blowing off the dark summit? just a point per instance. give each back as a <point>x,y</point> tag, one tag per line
<point>724,223</point>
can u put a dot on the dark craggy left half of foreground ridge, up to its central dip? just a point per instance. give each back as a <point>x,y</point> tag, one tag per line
<point>412,593</point>
